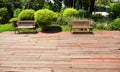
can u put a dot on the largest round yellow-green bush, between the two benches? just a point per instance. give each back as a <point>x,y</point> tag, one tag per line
<point>44,17</point>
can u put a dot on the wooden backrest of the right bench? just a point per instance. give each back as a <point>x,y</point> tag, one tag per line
<point>80,22</point>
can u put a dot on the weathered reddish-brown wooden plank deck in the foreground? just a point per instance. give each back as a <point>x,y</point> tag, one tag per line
<point>60,52</point>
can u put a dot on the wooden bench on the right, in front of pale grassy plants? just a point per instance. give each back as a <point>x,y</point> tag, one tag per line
<point>81,24</point>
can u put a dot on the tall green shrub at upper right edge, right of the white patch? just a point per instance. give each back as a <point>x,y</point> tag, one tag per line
<point>115,8</point>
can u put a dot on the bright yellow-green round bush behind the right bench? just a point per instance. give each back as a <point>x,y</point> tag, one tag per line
<point>70,12</point>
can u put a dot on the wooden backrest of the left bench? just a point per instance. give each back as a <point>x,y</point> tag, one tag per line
<point>26,23</point>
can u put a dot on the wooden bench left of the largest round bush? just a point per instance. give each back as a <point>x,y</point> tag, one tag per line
<point>25,24</point>
